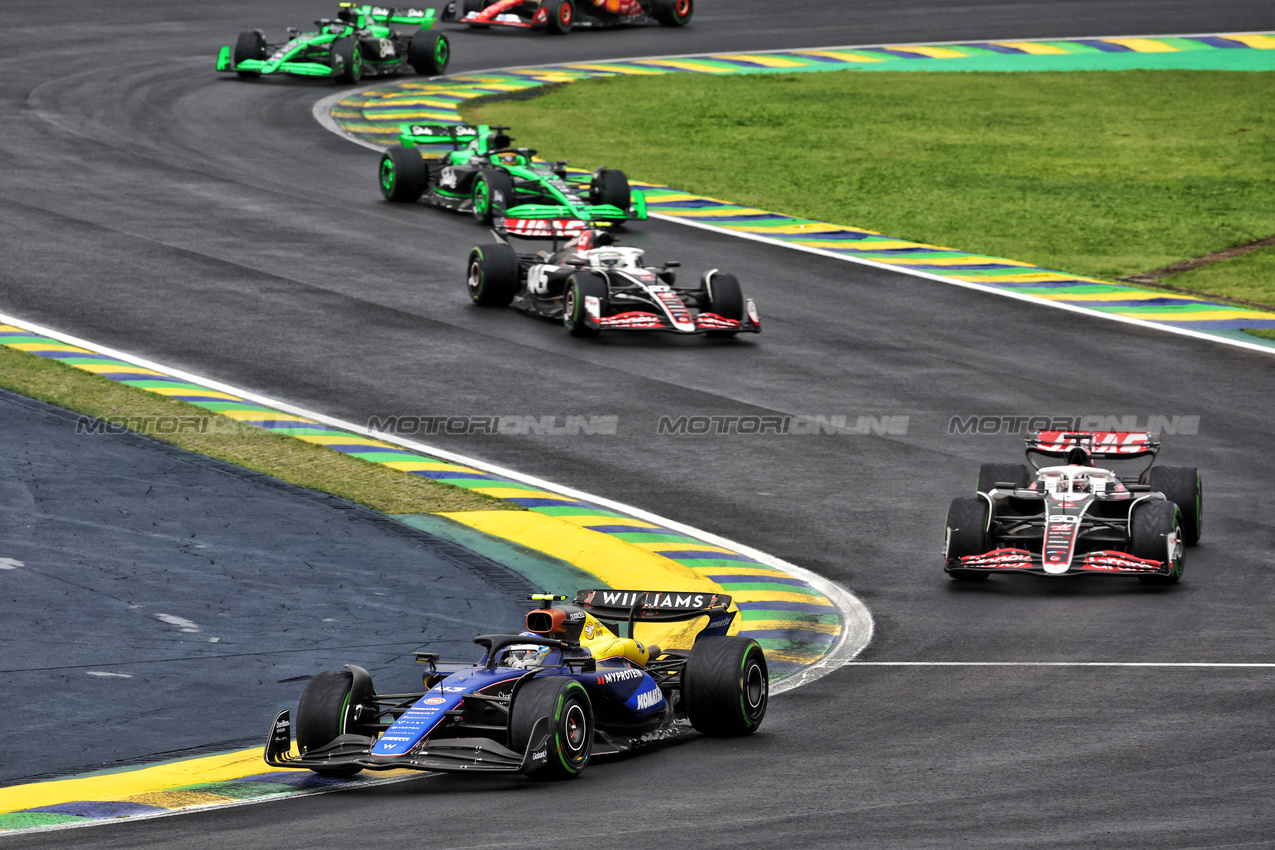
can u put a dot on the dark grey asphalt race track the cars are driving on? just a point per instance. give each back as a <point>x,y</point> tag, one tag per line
<point>211,225</point>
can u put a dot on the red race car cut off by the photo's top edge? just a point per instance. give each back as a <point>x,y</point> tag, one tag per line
<point>560,17</point>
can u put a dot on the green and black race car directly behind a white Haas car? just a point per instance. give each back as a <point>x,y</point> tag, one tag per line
<point>476,170</point>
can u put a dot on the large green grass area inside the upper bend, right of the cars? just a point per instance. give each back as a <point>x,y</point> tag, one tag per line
<point>1096,174</point>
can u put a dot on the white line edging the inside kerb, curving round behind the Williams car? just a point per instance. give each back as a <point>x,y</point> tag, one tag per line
<point>857,621</point>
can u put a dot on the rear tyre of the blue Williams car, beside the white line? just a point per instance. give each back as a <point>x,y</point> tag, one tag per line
<point>725,686</point>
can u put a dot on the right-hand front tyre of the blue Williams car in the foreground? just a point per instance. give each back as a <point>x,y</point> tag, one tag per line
<point>565,704</point>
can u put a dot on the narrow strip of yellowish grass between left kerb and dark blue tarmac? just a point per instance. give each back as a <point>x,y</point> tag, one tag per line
<point>285,458</point>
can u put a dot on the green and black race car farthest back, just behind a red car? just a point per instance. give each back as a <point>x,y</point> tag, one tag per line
<point>359,43</point>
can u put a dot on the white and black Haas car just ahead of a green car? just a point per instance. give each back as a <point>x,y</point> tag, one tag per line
<point>592,285</point>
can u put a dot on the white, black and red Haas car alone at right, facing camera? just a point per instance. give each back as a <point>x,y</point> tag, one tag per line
<point>1078,518</point>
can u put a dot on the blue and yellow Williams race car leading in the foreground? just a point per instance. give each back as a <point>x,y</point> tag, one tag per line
<point>543,702</point>
